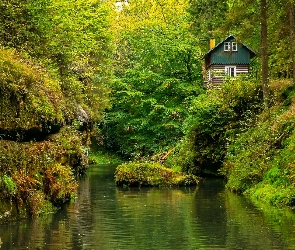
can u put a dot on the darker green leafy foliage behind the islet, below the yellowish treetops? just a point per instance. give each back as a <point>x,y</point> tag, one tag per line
<point>147,113</point>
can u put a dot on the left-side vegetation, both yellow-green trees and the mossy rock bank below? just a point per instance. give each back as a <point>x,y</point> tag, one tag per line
<point>54,67</point>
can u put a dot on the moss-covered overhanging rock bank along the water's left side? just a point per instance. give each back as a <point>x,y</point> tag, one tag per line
<point>44,140</point>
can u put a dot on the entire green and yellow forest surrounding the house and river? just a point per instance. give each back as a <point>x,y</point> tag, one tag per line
<point>128,76</point>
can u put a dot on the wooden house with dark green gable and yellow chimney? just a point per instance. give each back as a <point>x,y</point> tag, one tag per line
<point>229,58</point>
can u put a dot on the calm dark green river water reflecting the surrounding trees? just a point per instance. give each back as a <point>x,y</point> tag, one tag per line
<point>105,217</point>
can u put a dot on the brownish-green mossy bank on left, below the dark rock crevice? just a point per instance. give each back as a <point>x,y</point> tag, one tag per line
<point>38,177</point>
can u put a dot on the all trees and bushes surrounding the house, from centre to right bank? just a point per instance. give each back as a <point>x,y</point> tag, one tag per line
<point>232,131</point>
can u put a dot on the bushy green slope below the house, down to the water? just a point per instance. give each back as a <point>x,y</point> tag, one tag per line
<point>231,132</point>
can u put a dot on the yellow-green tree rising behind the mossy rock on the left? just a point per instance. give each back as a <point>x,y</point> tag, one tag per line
<point>76,42</point>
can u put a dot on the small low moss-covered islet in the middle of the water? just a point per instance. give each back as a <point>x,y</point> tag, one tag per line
<point>151,174</point>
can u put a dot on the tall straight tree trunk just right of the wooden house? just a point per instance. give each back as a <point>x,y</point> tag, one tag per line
<point>264,49</point>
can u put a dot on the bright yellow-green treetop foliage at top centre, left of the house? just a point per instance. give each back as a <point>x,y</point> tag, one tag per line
<point>155,35</point>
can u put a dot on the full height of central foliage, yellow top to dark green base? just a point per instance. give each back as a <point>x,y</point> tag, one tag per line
<point>157,74</point>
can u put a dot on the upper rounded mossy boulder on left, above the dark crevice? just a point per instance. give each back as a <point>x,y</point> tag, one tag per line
<point>31,102</point>
